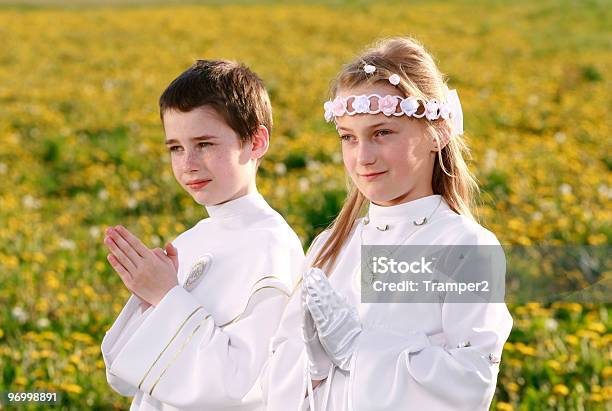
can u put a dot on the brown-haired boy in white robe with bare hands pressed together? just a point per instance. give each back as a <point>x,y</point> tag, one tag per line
<point>195,333</point>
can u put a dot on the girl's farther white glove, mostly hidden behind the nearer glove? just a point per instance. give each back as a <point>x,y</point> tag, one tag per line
<point>318,361</point>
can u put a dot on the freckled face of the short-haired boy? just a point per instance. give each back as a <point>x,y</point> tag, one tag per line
<point>207,159</point>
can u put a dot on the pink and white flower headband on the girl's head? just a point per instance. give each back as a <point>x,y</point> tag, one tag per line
<point>397,105</point>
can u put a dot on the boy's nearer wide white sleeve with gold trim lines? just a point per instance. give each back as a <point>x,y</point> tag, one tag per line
<point>181,357</point>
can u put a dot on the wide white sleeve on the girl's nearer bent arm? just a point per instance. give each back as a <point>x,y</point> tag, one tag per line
<point>453,369</point>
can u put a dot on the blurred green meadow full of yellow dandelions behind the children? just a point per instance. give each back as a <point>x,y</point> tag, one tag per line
<point>81,148</point>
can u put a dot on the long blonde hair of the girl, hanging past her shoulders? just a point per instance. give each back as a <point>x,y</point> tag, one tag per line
<point>420,78</point>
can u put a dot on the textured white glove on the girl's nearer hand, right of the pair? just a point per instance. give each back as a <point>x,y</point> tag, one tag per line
<point>337,321</point>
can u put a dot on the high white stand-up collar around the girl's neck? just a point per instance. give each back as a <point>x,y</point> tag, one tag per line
<point>411,210</point>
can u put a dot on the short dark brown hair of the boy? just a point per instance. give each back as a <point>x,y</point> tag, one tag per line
<point>230,88</point>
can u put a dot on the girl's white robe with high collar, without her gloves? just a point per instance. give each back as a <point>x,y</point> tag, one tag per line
<point>409,356</point>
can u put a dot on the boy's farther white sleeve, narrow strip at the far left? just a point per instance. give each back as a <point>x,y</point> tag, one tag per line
<point>130,318</point>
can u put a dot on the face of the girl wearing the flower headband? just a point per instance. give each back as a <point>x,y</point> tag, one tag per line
<point>390,159</point>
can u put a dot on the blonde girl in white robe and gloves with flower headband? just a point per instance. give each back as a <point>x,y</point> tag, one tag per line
<point>400,129</point>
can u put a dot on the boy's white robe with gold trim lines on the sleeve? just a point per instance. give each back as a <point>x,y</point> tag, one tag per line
<point>205,349</point>
